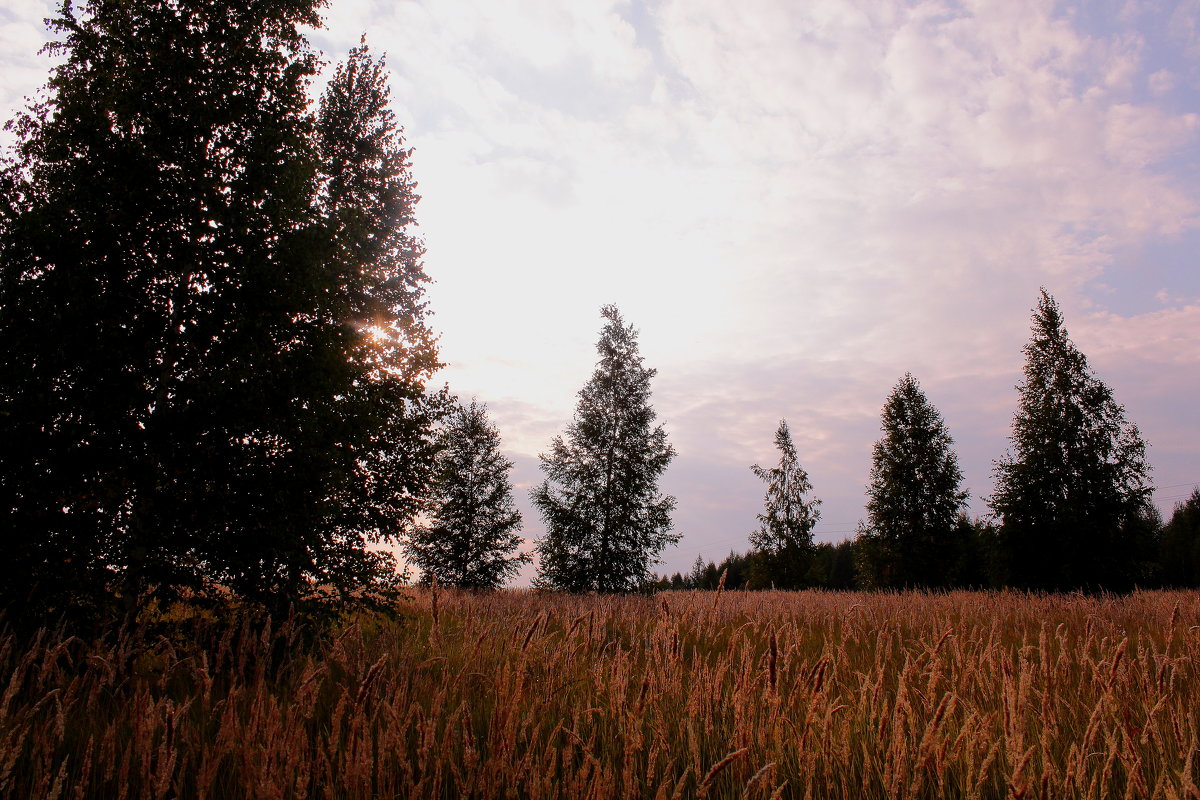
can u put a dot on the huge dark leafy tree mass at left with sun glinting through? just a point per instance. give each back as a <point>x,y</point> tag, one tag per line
<point>213,332</point>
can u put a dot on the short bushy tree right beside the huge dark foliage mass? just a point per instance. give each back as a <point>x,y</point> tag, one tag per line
<point>471,540</point>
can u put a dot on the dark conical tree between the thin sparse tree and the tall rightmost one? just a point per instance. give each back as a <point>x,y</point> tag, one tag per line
<point>915,502</point>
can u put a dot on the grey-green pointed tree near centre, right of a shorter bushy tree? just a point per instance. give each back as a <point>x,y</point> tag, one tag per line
<point>607,520</point>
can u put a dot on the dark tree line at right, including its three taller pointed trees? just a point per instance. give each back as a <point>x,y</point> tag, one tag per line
<point>1071,510</point>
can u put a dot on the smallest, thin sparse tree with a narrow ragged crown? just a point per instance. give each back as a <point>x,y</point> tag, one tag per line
<point>783,543</point>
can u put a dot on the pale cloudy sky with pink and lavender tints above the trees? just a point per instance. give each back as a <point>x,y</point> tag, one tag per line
<point>796,204</point>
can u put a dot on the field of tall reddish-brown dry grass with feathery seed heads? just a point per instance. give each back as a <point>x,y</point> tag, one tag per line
<point>688,695</point>
